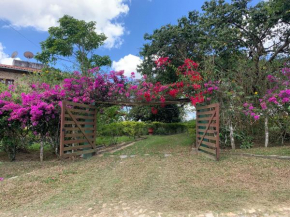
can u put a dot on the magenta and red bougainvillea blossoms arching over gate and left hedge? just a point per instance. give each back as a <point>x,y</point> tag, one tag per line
<point>42,102</point>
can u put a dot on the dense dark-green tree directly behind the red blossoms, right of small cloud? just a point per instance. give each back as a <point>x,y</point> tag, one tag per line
<point>178,42</point>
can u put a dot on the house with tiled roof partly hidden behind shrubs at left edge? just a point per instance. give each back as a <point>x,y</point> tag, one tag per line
<point>9,74</point>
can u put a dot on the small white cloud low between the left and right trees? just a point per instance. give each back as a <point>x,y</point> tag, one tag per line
<point>129,64</point>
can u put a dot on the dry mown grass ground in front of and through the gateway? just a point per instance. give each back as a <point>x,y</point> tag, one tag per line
<point>176,185</point>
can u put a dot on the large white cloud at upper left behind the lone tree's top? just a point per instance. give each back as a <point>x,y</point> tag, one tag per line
<point>42,14</point>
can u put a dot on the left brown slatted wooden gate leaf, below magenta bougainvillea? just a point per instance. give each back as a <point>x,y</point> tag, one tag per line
<point>78,129</point>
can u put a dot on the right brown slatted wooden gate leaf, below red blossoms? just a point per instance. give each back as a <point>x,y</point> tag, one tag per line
<point>207,130</point>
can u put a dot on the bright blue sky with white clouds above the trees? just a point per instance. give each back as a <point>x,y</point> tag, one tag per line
<point>24,25</point>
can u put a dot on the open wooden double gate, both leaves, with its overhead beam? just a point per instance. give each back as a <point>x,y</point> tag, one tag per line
<point>78,126</point>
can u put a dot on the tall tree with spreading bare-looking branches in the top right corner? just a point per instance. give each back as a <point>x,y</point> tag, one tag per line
<point>261,32</point>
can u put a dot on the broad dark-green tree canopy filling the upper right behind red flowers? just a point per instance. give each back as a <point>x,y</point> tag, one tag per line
<point>225,31</point>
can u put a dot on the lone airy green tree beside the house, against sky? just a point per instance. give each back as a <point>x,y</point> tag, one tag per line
<point>74,38</point>
